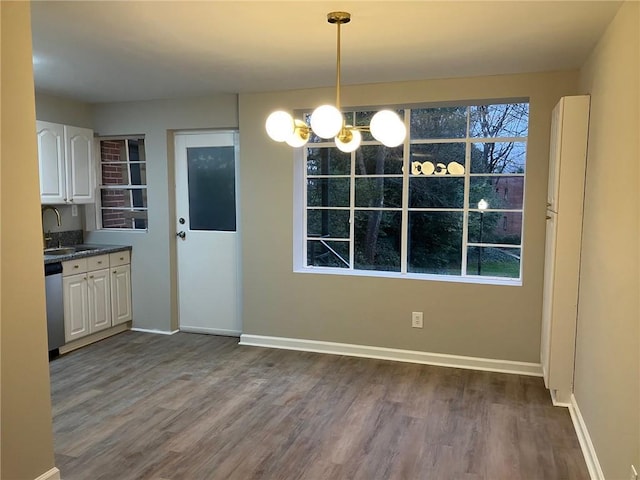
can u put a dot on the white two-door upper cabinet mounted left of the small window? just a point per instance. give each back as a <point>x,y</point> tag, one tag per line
<point>66,159</point>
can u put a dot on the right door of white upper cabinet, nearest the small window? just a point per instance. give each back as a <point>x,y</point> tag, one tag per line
<point>79,160</point>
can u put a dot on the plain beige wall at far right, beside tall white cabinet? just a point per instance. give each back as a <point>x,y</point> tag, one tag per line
<point>607,372</point>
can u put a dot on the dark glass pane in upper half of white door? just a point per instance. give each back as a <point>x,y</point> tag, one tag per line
<point>212,188</point>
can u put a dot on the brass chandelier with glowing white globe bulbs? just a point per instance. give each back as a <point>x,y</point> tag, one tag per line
<point>328,122</point>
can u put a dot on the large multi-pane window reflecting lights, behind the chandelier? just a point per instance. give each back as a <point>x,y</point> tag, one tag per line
<point>449,201</point>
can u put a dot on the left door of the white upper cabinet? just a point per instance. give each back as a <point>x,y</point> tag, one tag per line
<point>50,138</point>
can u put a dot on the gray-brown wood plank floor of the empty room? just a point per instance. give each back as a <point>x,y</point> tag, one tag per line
<point>199,407</point>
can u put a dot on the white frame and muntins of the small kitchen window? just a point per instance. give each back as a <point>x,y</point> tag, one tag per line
<point>100,186</point>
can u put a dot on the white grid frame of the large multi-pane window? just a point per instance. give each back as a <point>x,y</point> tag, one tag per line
<point>301,208</point>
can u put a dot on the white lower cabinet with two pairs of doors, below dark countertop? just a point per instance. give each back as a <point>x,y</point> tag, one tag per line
<point>97,294</point>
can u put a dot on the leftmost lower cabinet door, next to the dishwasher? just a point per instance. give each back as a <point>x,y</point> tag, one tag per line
<point>76,307</point>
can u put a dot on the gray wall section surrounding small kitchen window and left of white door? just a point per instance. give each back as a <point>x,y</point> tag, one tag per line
<point>153,258</point>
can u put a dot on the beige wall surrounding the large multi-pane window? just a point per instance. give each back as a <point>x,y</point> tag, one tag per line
<point>499,322</point>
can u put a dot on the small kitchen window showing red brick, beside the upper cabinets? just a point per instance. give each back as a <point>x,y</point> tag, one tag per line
<point>122,201</point>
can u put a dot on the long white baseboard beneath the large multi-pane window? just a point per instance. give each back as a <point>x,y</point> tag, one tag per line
<point>412,356</point>
